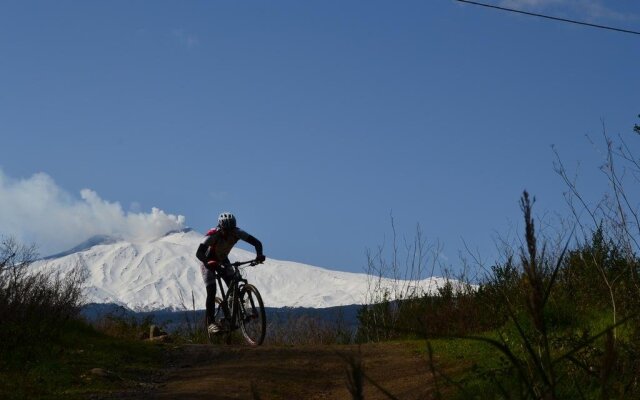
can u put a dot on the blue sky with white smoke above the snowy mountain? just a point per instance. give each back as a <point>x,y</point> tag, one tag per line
<point>311,121</point>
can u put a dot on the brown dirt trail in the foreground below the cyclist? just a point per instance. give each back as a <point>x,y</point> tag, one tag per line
<point>309,372</point>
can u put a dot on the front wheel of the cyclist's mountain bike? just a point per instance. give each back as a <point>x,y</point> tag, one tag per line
<point>253,319</point>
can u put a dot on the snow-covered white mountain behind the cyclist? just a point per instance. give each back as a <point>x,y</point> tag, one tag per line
<point>164,274</point>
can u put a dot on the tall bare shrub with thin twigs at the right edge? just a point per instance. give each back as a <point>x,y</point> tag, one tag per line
<point>615,218</point>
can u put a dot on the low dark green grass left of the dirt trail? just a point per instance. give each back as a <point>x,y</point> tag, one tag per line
<point>60,369</point>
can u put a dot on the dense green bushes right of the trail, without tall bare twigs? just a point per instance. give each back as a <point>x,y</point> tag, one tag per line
<point>563,321</point>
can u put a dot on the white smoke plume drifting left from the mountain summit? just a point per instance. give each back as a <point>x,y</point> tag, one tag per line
<point>36,210</point>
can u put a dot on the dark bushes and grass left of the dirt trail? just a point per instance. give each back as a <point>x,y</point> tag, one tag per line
<point>46,350</point>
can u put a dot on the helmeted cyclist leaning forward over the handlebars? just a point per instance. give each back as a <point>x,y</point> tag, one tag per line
<point>213,252</point>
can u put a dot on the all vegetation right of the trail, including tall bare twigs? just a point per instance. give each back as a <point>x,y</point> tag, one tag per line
<point>561,315</point>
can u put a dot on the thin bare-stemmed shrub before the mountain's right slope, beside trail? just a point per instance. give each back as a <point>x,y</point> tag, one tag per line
<point>404,300</point>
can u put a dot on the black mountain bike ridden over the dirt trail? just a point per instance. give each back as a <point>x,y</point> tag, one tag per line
<point>244,309</point>
